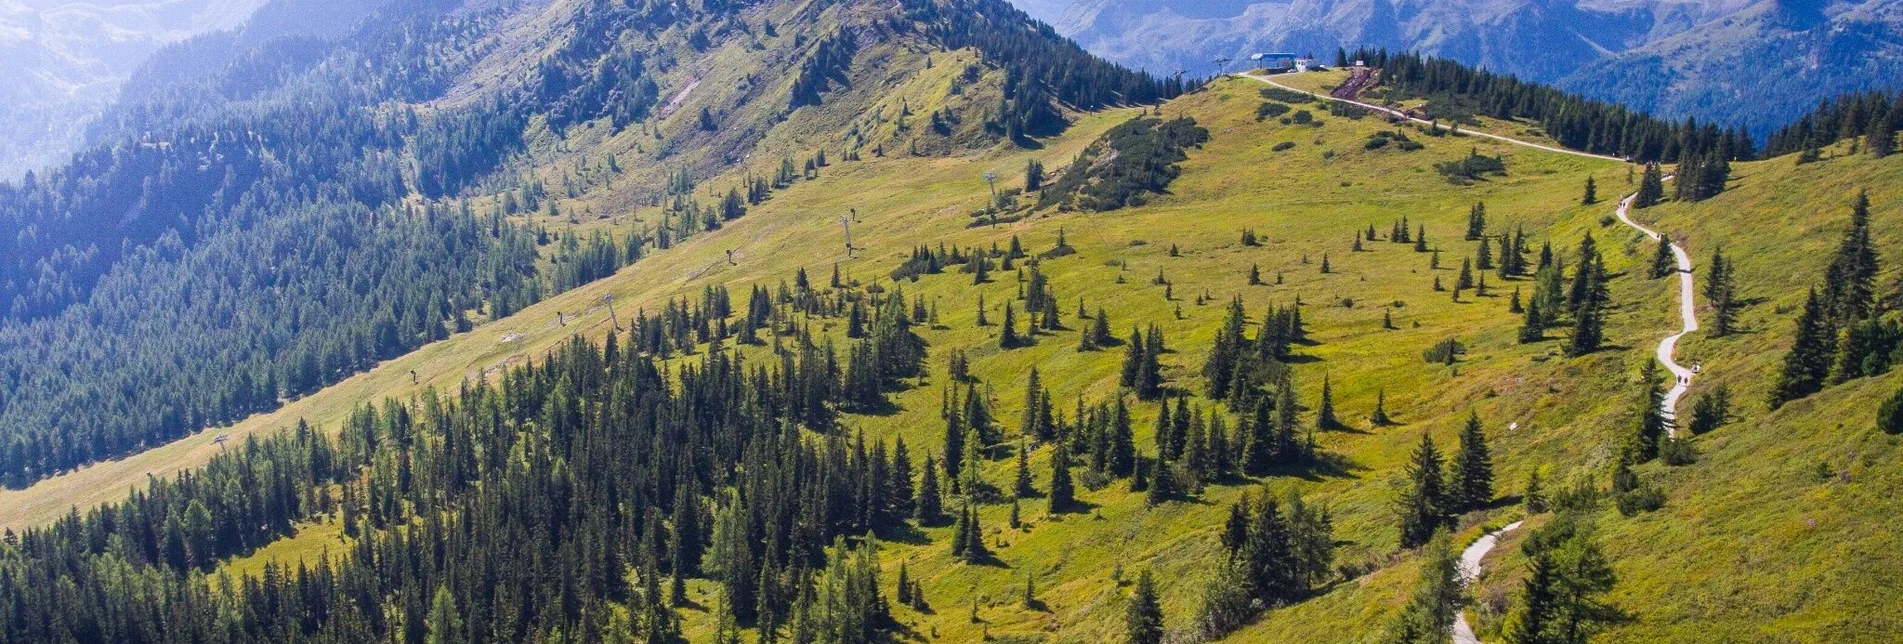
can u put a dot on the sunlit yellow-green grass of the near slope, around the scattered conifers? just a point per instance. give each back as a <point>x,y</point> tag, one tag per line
<point>1733,555</point>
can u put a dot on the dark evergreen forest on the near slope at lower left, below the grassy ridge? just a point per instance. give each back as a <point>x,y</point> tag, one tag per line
<point>515,510</point>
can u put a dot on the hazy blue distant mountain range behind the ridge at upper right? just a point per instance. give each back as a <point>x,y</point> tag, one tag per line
<point>1736,62</point>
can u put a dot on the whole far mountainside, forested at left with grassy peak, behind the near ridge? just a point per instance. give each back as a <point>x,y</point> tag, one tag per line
<point>441,151</point>
